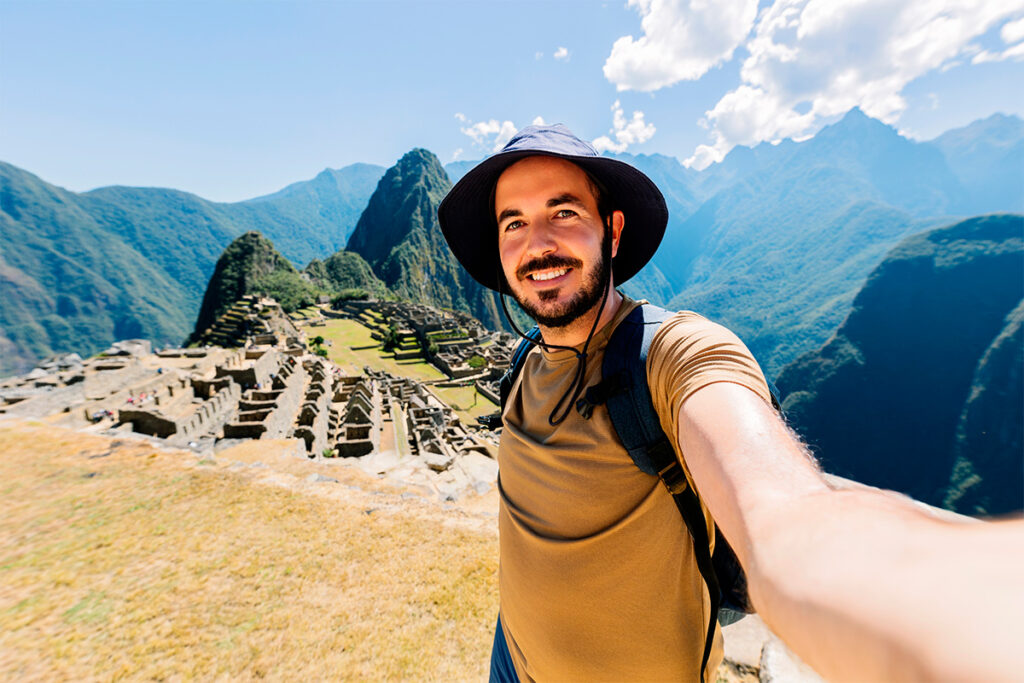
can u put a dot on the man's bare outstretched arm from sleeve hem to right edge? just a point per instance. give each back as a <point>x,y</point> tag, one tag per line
<point>862,584</point>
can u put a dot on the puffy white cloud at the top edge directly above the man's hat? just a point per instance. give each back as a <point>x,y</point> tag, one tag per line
<point>682,40</point>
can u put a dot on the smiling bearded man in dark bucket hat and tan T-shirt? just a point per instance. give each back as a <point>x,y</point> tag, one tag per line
<point>598,575</point>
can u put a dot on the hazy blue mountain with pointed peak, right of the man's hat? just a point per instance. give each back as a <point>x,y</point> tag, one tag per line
<point>779,255</point>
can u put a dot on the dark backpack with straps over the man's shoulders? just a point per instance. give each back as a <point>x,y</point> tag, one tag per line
<point>624,389</point>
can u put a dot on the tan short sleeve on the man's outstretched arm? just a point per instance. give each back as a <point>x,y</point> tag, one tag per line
<point>690,353</point>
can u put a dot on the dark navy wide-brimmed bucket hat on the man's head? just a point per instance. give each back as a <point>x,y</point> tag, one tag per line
<point>467,216</point>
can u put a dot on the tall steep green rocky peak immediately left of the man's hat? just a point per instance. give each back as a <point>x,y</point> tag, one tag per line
<point>400,237</point>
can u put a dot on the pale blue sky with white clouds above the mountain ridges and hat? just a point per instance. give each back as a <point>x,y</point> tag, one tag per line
<point>232,100</point>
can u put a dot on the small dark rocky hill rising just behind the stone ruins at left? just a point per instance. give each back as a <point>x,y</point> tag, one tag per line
<point>251,266</point>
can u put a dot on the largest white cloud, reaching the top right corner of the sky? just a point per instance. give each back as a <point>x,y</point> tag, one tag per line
<point>813,60</point>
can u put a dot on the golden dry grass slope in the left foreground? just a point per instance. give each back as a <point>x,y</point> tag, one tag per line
<point>131,563</point>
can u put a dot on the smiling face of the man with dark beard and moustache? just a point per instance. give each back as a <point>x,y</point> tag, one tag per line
<point>550,238</point>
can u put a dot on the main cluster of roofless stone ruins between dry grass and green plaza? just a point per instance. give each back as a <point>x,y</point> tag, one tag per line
<point>210,398</point>
